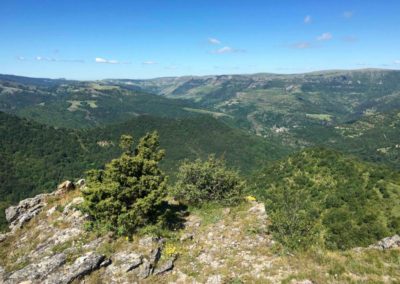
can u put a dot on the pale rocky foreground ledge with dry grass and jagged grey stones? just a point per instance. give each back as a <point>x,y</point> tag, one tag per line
<point>48,243</point>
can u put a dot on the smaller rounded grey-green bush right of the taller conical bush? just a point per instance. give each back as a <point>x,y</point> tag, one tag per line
<point>199,182</point>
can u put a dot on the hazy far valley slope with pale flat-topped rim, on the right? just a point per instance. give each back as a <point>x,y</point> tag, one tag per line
<point>279,105</point>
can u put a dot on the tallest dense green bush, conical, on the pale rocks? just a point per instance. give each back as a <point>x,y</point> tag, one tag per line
<point>128,193</point>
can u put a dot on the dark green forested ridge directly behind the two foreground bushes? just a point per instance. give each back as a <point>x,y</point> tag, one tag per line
<point>36,157</point>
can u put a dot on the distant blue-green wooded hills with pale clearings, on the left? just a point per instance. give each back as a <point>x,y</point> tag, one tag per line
<point>74,104</point>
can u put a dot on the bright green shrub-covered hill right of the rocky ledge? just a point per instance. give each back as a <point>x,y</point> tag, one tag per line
<point>321,197</point>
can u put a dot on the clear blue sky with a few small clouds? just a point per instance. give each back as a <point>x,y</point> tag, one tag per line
<point>96,39</point>
